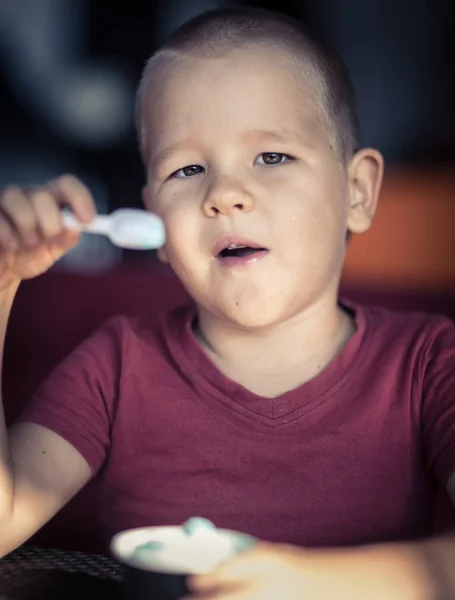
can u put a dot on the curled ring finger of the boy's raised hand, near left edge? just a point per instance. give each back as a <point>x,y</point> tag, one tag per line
<point>17,208</point>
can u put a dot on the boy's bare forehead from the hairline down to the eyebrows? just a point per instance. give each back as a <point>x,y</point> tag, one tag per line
<point>236,94</point>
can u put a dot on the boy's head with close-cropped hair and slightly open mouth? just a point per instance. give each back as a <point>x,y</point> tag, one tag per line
<point>248,131</point>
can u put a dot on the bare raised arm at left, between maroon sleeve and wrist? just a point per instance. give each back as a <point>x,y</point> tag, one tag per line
<point>39,470</point>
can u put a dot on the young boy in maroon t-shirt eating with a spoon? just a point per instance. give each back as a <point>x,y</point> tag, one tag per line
<point>268,407</point>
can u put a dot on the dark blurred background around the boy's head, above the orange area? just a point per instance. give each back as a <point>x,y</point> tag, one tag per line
<point>69,70</point>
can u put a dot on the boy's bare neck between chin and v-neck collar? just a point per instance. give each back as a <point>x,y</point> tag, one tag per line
<point>272,361</point>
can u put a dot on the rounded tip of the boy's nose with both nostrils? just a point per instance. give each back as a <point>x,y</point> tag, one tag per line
<point>227,197</point>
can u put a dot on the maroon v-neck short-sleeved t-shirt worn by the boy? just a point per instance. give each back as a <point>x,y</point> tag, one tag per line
<point>352,456</point>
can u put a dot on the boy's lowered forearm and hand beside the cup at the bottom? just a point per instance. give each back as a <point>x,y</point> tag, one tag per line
<point>270,571</point>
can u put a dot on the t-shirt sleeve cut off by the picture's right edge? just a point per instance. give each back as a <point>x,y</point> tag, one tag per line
<point>438,408</point>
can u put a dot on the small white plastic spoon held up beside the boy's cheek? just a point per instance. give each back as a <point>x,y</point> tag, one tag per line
<point>130,228</point>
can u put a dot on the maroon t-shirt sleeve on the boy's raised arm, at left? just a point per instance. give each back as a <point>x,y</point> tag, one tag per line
<point>78,400</point>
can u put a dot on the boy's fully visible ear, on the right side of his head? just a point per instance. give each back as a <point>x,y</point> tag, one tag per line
<point>365,173</point>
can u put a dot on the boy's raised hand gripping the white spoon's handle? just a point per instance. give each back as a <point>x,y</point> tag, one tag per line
<point>32,237</point>
